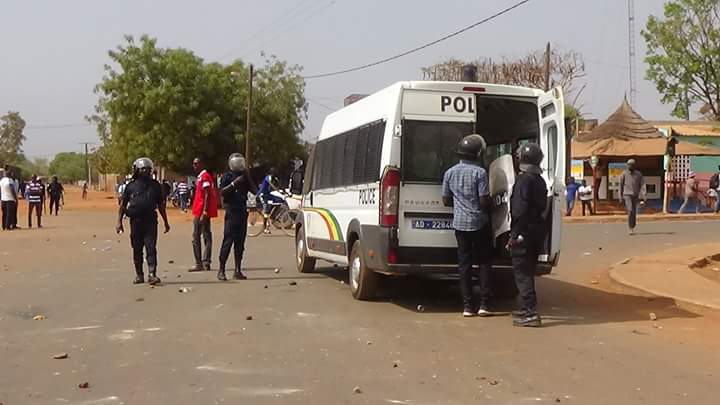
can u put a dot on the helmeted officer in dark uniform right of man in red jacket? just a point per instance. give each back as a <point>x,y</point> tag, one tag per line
<point>234,187</point>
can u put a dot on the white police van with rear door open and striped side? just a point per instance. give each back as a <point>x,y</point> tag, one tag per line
<point>372,190</point>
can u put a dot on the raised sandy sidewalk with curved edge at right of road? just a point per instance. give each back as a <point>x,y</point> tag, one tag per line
<point>668,274</point>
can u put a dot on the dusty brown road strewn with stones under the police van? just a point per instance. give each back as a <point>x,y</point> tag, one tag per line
<point>310,343</point>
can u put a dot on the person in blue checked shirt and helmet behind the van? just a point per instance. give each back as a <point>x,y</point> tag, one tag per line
<point>466,189</point>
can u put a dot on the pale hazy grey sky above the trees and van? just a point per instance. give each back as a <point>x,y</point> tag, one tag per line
<point>54,51</point>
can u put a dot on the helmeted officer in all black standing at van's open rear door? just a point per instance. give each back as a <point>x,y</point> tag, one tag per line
<point>527,231</point>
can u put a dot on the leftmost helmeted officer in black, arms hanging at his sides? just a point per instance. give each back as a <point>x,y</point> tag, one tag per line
<point>140,200</point>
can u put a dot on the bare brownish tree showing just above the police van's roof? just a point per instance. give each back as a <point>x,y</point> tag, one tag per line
<point>566,68</point>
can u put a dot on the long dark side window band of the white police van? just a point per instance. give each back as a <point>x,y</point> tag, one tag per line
<point>352,157</point>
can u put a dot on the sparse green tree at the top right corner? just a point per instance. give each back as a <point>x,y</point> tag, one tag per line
<point>684,56</point>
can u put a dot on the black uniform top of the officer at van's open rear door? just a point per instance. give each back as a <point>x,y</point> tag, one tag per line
<point>527,205</point>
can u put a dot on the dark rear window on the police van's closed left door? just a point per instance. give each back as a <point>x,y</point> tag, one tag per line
<point>429,149</point>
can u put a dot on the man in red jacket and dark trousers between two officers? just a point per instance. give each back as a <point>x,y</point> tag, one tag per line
<point>204,208</point>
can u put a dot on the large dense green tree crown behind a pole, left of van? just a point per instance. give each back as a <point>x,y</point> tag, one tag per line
<point>171,106</point>
